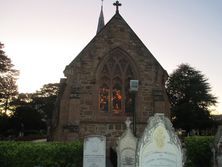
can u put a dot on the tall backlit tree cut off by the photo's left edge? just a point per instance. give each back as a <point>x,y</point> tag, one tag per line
<point>8,78</point>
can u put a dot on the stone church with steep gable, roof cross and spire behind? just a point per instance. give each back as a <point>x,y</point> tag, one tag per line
<point>95,96</point>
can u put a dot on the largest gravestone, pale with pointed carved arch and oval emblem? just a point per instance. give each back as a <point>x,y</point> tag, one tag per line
<point>159,146</point>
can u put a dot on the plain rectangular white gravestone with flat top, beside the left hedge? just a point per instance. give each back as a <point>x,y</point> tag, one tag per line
<point>94,151</point>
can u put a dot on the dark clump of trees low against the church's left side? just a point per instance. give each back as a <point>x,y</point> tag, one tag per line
<point>32,113</point>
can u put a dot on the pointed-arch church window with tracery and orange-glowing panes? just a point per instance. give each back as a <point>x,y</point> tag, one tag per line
<point>113,77</point>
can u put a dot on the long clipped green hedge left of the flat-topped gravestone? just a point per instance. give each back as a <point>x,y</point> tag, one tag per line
<point>29,154</point>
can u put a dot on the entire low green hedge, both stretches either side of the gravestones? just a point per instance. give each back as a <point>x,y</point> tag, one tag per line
<point>55,154</point>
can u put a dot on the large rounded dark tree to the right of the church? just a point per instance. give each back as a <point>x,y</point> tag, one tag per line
<point>190,96</point>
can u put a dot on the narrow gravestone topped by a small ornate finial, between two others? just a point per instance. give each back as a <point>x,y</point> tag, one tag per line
<point>126,147</point>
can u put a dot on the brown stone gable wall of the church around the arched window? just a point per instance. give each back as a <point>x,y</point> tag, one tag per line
<point>78,112</point>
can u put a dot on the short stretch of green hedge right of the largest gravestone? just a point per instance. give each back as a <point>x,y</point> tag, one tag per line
<point>199,151</point>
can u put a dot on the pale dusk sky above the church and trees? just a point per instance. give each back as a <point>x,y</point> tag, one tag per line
<point>43,36</point>
